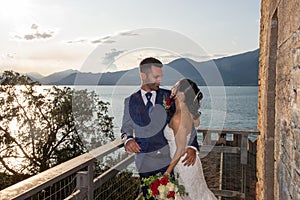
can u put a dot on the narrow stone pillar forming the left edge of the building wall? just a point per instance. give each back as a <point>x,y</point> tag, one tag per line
<point>266,104</point>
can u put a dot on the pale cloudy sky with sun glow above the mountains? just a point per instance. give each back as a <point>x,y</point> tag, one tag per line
<point>97,35</point>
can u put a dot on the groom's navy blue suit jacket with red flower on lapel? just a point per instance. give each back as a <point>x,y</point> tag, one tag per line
<point>146,127</point>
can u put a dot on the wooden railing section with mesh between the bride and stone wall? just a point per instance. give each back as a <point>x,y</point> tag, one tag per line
<point>234,173</point>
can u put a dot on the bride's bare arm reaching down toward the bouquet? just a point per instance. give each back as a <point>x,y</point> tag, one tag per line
<point>180,139</point>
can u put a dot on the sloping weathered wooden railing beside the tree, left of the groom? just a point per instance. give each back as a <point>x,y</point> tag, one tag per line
<point>80,168</point>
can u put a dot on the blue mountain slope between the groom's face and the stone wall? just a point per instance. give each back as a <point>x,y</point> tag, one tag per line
<point>241,69</point>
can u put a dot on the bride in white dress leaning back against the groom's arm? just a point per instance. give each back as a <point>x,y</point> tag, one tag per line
<point>187,96</point>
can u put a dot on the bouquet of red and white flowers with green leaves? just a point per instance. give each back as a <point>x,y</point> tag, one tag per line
<point>162,187</point>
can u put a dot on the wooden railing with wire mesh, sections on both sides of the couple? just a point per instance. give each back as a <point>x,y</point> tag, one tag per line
<point>228,160</point>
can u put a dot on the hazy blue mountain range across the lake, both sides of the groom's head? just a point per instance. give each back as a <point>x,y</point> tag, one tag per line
<point>237,70</point>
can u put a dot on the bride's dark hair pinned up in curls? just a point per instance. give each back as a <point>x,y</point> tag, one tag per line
<point>192,94</point>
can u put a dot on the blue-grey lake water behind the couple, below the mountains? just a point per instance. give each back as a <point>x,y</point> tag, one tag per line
<point>227,107</point>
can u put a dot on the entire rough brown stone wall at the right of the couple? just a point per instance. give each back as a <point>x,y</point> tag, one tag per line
<point>278,155</point>
